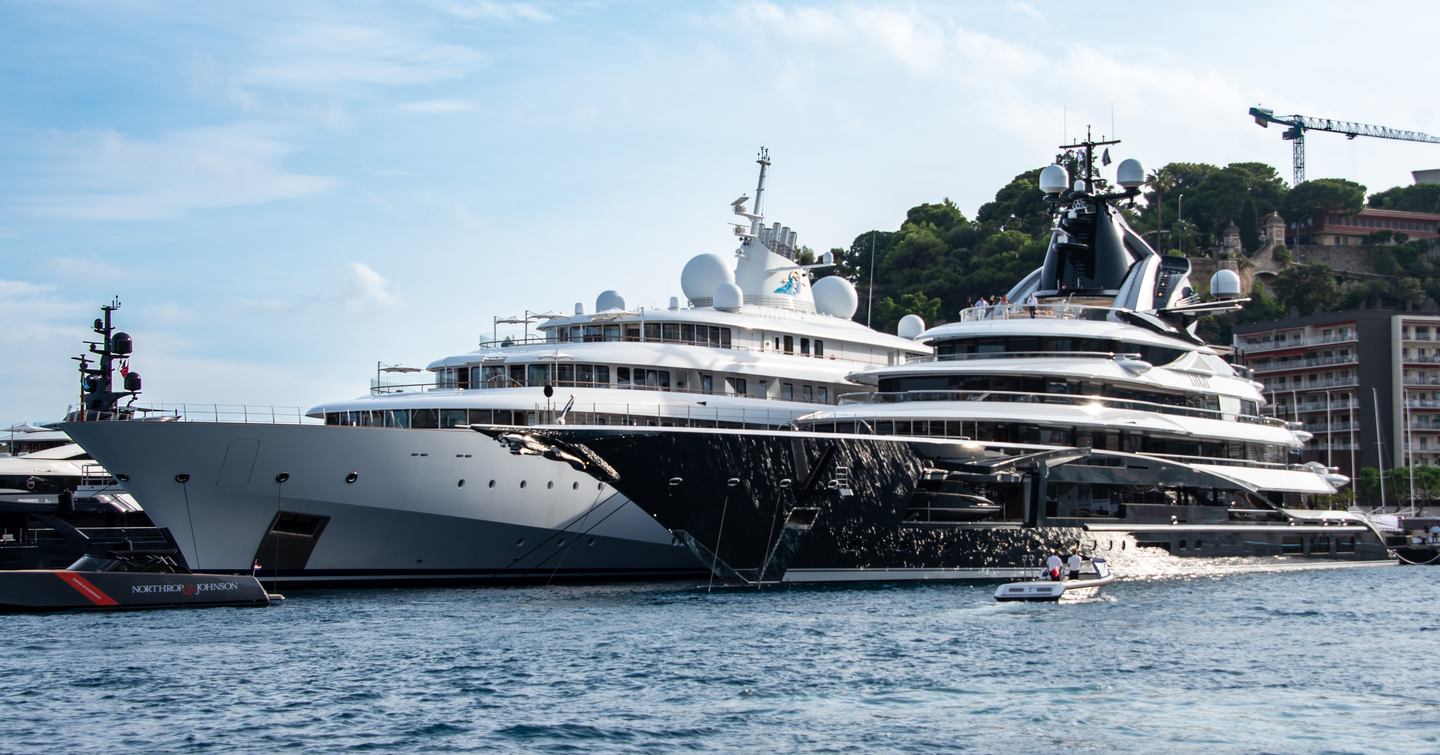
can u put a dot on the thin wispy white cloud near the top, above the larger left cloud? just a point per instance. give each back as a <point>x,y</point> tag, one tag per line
<point>328,57</point>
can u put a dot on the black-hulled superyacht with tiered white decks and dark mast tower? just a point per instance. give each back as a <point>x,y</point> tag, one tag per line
<point>1085,417</point>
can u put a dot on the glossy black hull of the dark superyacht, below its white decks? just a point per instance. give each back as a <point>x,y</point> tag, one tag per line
<point>814,508</point>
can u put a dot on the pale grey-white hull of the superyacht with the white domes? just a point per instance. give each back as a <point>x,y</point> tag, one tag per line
<point>339,505</point>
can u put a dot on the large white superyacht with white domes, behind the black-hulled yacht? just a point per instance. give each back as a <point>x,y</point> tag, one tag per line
<point>394,486</point>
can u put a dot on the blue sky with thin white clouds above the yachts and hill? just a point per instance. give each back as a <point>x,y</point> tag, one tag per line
<point>284,195</point>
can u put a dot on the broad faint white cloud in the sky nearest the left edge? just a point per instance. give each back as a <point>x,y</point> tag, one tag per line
<point>107,177</point>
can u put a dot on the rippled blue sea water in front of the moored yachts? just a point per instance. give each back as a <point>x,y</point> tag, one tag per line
<point>1290,662</point>
